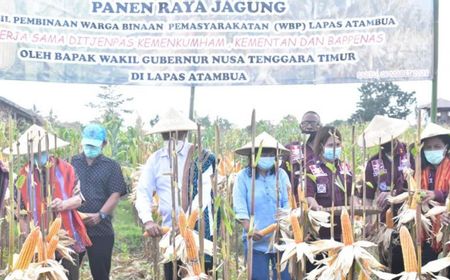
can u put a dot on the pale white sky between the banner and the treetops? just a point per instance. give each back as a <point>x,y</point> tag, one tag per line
<point>331,101</point>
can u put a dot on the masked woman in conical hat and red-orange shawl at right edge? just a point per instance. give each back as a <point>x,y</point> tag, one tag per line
<point>435,178</point>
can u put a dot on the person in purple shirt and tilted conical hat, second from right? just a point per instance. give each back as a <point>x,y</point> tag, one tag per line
<point>385,168</point>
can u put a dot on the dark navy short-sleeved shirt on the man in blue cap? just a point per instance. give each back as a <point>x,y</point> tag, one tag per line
<point>98,182</point>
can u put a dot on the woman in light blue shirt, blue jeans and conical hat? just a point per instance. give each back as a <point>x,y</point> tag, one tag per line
<point>265,203</point>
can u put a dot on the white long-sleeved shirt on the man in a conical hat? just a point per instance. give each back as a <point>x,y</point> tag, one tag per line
<point>155,177</point>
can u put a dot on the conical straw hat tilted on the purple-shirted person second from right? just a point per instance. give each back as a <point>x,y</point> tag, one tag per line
<point>381,130</point>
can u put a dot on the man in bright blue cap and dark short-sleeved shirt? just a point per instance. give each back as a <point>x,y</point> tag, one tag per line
<point>102,185</point>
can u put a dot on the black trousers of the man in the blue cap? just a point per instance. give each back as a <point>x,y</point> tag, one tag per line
<point>99,255</point>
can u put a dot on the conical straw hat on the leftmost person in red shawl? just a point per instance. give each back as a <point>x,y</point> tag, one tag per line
<point>35,133</point>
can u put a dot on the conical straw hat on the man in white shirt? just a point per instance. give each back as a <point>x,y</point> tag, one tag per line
<point>173,120</point>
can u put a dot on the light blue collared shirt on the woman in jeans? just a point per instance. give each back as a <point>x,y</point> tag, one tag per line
<point>265,201</point>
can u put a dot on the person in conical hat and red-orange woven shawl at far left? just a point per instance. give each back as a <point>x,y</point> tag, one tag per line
<point>65,192</point>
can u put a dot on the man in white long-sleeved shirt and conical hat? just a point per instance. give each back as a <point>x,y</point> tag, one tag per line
<point>156,179</point>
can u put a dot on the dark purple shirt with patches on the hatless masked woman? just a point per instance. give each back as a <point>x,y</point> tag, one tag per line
<point>321,189</point>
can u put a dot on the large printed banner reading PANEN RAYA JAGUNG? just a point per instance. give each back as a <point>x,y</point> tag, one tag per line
<point>222,42</point>
